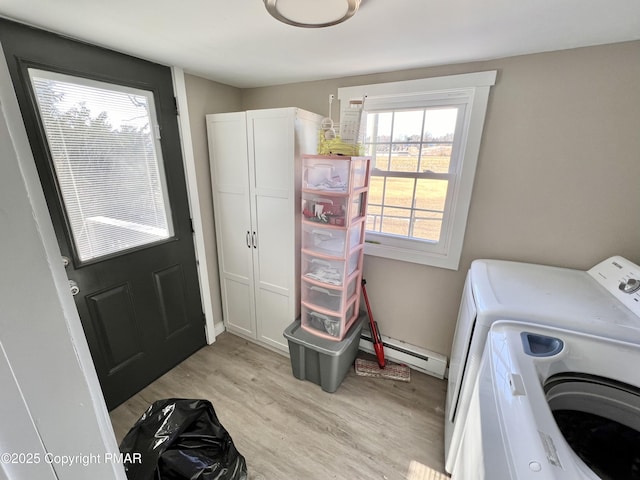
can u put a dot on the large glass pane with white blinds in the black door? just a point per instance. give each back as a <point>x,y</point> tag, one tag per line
<point>106,160</point>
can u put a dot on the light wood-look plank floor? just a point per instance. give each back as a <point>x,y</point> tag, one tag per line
<point>288,429</point>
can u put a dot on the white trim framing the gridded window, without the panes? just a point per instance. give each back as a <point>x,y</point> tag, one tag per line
<point>474,88</point>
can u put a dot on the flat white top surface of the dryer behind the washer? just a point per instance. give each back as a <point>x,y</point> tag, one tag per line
<point>556,296</point>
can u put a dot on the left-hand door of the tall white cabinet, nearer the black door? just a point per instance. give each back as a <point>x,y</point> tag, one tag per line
<point>230,182</point>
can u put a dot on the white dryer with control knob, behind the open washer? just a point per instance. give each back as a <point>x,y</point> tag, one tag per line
<point>600,302</point>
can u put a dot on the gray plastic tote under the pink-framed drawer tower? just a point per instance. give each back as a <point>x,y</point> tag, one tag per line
<point>323,362</point>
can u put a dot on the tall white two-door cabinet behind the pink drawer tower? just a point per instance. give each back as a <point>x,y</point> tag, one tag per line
<point>255,172</point>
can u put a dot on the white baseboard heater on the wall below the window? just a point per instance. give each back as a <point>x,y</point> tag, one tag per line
<point>417,358</point>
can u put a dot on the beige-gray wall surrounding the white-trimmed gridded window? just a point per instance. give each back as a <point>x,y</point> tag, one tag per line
<point>558,178</point>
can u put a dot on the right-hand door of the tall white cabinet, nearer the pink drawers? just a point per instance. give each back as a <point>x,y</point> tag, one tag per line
<point>272,170</point>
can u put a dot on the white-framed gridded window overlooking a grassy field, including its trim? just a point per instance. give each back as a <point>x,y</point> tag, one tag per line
<point>423,137</point>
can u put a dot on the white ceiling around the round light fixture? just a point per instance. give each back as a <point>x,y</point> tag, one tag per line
<point>236,42</point>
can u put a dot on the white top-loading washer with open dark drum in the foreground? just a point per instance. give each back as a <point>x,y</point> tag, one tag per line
<point>552,404</point>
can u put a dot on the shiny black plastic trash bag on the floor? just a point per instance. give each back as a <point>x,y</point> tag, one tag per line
<point>181,439</point>
